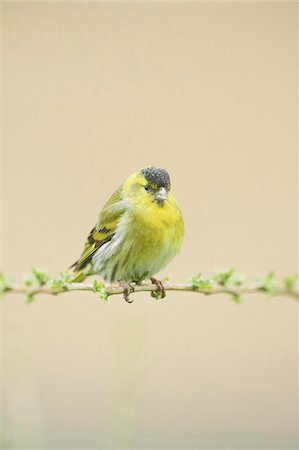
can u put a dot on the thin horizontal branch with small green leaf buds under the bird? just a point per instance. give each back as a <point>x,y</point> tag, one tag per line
<point>222,282</point>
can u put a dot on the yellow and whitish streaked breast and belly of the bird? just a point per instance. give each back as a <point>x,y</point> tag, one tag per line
<point>146,239</point>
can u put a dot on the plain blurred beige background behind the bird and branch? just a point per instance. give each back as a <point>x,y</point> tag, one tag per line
<point>92,92</point>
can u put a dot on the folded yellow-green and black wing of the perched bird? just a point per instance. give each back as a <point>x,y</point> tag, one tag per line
<point>103,231</point>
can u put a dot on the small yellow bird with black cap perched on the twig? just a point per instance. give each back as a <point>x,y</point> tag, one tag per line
<point>138,232</point>
